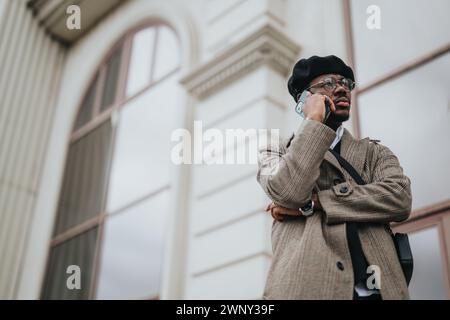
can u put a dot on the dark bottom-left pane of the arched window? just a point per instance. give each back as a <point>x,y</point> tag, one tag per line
<point>78,251</point>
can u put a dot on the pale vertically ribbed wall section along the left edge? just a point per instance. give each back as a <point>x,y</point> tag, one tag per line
<point>31,65</point>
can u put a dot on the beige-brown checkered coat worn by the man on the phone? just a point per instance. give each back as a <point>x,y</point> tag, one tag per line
<point>306,250</point>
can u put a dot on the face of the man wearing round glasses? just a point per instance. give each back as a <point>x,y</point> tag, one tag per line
<point>341,96</point>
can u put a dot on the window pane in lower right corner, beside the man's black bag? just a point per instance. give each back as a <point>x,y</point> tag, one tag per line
<point>428,278</point>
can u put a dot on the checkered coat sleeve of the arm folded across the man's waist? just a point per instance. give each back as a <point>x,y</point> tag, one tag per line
<point>386,199</point>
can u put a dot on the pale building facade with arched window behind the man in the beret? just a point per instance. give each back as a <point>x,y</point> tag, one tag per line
<point>87,135</point>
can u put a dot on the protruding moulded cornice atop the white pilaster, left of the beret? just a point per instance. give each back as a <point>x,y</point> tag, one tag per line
<point>267,46</point>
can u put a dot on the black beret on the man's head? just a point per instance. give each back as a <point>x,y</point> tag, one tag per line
<point>305,70</point>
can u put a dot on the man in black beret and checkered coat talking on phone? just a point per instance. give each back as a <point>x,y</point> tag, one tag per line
<point>327,229</point>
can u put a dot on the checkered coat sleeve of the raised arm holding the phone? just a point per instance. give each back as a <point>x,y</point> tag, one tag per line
<point>288,175</point>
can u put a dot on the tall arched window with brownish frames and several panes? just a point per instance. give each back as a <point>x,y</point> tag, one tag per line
<point>112,210</point>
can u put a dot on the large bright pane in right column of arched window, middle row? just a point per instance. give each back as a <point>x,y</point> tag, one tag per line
<point>142,152</point>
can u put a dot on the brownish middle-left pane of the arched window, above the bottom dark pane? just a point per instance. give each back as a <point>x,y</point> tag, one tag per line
<point>84,183</point>
